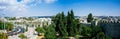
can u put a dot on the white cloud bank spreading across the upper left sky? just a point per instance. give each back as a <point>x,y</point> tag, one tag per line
<point>17,8</point>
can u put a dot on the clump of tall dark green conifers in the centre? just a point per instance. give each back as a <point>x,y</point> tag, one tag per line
<point>66,25</point>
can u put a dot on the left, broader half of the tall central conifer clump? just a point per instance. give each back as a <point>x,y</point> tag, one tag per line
<point>60,22</point>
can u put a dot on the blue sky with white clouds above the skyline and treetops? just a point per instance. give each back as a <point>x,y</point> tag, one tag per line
<point>52,7</point>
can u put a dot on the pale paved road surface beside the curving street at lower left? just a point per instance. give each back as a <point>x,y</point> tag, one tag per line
<point>30,34</point>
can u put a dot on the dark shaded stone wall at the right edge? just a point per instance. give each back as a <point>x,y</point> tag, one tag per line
<point>111,28</point>
